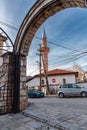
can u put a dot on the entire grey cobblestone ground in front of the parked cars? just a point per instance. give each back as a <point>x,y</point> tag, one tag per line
<point>49,113</point>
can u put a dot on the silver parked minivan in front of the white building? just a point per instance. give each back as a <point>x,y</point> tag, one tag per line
<point>71,90</point>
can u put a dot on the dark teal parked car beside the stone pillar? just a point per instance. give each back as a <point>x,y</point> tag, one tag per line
<point>35,93</point>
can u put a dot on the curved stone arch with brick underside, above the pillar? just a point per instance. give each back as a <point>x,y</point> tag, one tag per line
<point>41,11</point>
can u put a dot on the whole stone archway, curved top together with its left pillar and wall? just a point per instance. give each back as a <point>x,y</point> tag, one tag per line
<point>14,88</point>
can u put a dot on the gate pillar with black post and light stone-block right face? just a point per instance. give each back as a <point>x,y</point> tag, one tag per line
<point>20,91</point>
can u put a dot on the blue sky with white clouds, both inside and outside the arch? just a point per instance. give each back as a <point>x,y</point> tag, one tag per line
<point>66,33</point>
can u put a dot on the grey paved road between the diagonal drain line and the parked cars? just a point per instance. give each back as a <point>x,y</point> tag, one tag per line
<point>68,113</point>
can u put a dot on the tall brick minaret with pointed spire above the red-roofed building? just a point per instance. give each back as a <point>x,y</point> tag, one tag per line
<point>44,52</point>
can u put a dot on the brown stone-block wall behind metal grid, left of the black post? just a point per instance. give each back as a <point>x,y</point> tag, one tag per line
<point>6,83</point>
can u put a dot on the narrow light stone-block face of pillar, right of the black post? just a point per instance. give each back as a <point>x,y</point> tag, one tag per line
<point>23,89</point>
